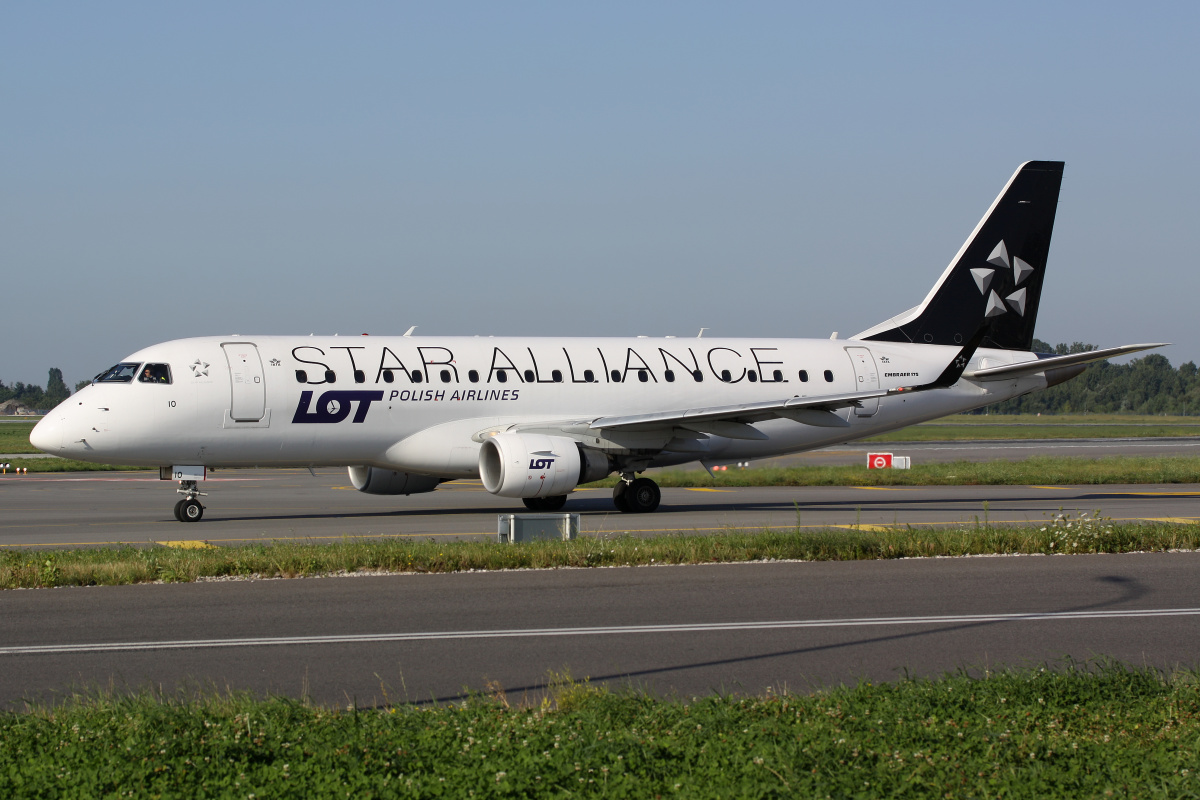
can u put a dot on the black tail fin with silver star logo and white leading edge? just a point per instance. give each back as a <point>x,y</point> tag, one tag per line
<point>995,281</point>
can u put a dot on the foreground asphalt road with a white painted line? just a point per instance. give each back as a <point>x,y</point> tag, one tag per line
<point>675,631</point>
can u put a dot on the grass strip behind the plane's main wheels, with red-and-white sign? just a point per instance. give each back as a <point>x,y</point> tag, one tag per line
<point>1031,472</point>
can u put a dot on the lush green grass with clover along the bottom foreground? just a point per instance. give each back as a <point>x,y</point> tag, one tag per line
<point>1081,731</point>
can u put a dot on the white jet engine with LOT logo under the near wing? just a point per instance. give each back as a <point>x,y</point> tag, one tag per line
<point>537,466</point>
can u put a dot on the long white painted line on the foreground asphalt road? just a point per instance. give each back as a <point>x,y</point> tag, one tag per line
<point>699,628</point>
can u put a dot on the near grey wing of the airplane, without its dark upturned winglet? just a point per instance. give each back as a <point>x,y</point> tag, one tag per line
<point>734,422</point>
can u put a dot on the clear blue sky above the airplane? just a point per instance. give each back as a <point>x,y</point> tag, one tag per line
<point>759,170</point>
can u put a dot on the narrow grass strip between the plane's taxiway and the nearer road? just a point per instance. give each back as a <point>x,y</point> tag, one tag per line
<point>125,566</point>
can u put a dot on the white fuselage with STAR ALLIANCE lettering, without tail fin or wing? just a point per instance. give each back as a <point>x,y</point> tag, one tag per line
<point>418,404</point>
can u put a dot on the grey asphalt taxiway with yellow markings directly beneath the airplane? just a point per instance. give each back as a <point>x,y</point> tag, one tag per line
<point>261,506</point>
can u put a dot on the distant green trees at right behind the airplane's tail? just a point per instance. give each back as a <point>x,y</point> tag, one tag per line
<point>1147,386</point>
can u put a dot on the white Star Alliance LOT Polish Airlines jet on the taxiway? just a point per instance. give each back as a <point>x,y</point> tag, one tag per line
<point>536,418</point>
